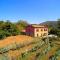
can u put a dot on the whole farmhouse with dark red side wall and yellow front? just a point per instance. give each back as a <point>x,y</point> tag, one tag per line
<point>36,30</point>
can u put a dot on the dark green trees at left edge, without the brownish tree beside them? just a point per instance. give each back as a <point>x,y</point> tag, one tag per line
<point>8,29</point>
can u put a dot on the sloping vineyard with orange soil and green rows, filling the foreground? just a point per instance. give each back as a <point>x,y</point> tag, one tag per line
<point>23,47</point>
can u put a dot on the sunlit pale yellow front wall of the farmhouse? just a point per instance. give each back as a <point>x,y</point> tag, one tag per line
<point>40,33</point>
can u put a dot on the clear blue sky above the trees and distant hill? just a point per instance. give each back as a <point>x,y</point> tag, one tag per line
<point>33,11</point>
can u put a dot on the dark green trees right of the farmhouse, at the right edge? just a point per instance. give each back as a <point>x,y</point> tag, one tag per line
<point>55,30</point>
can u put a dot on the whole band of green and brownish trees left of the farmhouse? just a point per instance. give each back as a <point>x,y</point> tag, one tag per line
<point>8,28</point>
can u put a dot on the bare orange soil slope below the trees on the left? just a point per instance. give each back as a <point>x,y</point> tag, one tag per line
<point>14,39</point>
